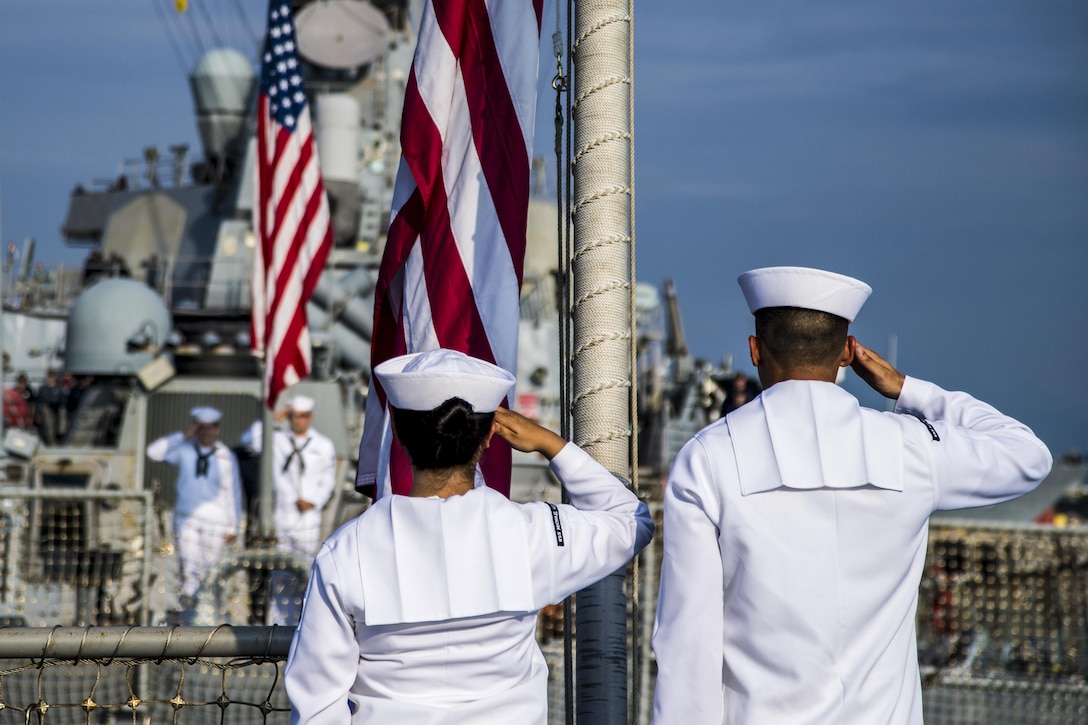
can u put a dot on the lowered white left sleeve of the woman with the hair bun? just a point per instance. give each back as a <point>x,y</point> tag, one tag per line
<point>325,655</point>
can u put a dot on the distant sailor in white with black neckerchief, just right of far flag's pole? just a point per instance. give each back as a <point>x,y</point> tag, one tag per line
<point>304,476</point>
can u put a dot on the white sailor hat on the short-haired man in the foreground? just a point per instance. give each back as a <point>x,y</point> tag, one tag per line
<point>805,288</point>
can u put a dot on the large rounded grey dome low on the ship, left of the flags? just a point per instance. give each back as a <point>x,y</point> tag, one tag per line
<point>114,327</point>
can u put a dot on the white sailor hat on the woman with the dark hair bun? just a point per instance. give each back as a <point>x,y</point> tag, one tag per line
<point>424,382</point>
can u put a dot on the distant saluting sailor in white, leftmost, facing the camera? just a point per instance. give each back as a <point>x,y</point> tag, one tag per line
<point>208,512</point>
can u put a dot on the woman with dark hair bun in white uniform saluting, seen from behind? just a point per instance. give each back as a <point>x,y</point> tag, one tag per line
<point>424,609</point>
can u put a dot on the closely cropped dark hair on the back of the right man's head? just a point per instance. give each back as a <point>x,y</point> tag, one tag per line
<point>797,337</point>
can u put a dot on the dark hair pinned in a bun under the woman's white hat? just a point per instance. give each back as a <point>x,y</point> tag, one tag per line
<point>448,437</point>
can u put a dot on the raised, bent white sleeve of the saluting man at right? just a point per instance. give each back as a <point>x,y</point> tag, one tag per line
<point>982,457</point>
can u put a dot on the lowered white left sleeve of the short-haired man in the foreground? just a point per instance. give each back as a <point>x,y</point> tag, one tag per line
<point>689,631</point>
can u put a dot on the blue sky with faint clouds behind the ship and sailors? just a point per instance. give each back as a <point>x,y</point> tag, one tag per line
<point>937,151</point>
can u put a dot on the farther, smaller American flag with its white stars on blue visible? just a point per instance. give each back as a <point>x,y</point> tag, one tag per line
<point>291,215</point>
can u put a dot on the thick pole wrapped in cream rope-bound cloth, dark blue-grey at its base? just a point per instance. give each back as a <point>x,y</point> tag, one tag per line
<point>602,271</point>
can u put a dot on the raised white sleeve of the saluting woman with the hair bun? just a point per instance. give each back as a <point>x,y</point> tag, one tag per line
<point>574,546</point>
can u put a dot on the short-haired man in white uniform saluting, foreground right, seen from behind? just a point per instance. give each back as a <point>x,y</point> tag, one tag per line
<point>796,529</point>
